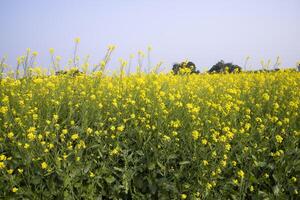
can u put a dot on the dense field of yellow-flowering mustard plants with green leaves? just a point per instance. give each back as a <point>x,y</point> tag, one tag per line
<point>150,136</point>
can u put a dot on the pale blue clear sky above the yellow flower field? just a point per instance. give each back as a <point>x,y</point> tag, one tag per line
<point>201,31</point>
